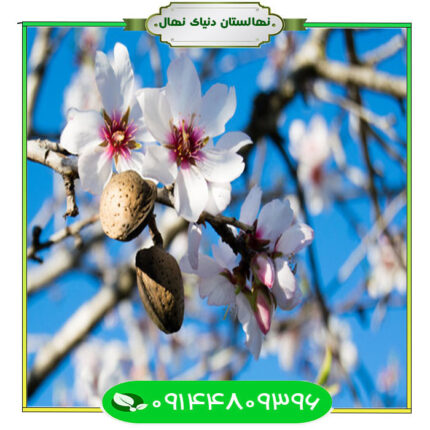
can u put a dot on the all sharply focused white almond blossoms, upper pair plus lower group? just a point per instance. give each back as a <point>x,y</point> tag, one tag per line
<point>167,135</point>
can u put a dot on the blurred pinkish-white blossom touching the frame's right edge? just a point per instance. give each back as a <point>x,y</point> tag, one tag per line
<point>387,273</point>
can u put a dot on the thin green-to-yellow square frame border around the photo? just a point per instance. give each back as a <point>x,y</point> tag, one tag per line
<point>408,26</point>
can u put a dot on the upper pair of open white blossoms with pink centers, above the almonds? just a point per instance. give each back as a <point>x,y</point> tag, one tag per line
<point>178,117</point>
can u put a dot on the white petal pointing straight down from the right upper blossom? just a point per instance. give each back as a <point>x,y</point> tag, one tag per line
<point>190,193</point>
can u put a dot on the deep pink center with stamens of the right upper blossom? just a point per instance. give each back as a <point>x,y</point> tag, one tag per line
<point>185,142</point>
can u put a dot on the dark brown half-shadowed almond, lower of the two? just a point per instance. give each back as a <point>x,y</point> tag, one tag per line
<point>161,288</point>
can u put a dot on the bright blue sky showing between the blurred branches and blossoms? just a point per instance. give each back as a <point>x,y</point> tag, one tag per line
<point>334,238</point>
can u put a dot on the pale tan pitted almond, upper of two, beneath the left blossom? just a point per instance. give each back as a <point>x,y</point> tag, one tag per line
<point>125,204</point>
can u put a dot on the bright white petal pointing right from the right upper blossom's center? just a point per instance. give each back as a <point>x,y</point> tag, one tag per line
<point>220,166</point>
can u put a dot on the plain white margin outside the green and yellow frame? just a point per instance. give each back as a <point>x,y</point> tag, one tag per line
<point>10,197</point>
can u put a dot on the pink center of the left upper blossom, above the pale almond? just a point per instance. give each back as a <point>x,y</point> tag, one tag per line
<point>118,135</point>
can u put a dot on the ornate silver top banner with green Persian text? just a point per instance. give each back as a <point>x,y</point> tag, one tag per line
<point>214,24</point>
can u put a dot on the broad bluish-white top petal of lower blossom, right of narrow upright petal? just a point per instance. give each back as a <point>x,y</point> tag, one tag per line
<point>275,217</point>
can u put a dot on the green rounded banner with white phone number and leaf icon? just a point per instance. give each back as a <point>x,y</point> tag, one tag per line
<point>217,401</point>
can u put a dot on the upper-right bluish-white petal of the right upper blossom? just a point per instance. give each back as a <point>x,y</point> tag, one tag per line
<point>218,106</point>
